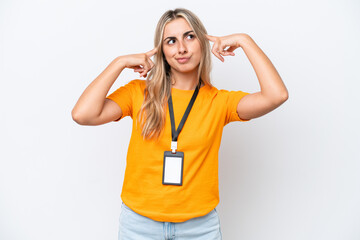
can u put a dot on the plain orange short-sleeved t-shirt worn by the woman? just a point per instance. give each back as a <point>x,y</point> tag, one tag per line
<point>199,139</point>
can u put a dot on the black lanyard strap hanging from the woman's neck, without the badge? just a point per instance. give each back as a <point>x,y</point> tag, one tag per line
<point>175,134</point>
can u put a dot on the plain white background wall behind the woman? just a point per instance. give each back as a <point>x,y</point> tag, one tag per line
<point>291,174</point>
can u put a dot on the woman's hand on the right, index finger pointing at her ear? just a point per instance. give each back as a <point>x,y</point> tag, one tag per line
<point>220,43</point>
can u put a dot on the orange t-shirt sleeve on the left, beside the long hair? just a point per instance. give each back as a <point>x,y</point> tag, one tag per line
<point>123,96</point>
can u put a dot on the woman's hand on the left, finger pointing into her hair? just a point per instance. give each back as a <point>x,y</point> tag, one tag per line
<point>140,62</point>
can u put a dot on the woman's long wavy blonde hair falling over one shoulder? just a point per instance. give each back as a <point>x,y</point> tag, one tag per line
<point>152,114</point>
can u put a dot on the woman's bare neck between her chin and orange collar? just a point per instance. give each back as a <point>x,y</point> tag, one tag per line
<point>184,81</point>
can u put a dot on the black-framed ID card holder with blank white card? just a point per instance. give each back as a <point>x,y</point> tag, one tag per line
<point>173,168</point>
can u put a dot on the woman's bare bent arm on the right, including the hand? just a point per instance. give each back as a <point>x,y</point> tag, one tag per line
<point>273,91</point>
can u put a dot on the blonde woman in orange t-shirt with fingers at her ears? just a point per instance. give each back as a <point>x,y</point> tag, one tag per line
<point>170,187</point>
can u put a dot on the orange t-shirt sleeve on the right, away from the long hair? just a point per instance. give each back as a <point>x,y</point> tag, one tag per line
<point>232,99</point>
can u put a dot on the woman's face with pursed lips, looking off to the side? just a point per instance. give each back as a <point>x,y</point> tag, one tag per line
<point>180,46</point>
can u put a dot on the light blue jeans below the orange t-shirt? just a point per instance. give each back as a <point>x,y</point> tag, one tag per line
<point>134,226</point>
